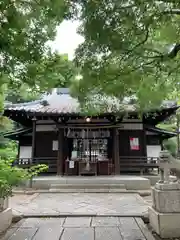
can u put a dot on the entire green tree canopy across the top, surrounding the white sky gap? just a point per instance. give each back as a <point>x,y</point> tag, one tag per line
<point>130,48</point>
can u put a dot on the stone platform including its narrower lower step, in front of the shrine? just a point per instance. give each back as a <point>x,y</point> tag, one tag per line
<point>91,184</point>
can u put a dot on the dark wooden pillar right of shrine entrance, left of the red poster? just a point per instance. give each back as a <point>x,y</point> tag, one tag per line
<point>116,151</point>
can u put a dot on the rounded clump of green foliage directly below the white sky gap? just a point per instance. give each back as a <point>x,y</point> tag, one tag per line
<point>53,70</point>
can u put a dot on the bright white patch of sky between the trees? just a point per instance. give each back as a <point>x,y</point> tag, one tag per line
<point>67,39</point>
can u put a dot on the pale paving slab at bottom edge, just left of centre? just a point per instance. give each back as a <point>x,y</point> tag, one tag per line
<point>78,234</point>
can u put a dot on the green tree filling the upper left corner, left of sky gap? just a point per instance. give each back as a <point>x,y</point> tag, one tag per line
<point>26,26</point>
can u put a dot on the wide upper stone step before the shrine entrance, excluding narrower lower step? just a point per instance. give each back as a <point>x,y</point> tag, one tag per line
<point>127,182</point>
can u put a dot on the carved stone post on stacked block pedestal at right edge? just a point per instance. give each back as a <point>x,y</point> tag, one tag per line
<point>164,215</point>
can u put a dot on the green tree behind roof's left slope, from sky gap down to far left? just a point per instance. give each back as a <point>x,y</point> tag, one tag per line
<point>52,70</point>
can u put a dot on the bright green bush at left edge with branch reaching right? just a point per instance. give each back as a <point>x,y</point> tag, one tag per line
<point>13,176</point>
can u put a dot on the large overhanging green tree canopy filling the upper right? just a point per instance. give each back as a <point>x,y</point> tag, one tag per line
<point>130,48</point>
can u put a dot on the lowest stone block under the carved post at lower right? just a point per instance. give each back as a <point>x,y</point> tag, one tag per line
<point>166,225</point>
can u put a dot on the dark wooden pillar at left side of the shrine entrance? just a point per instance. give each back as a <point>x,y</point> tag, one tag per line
<point>60,157</point>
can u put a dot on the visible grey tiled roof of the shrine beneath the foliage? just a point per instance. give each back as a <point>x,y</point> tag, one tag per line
<point>60,101</point>
